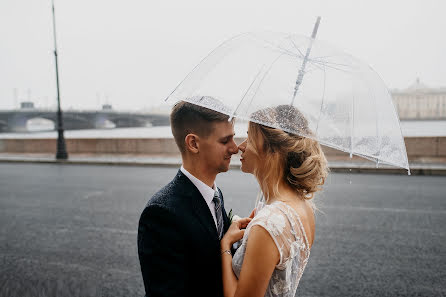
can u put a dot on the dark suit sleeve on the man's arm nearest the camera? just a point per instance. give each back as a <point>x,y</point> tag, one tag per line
<point>161,250</point>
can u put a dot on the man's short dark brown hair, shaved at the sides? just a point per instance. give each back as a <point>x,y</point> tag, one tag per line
<point>187,118</point>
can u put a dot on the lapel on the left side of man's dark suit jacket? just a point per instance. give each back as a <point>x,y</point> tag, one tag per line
<point>199,205</point>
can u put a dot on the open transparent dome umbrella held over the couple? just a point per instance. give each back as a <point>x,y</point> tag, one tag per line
<point>347,105</point>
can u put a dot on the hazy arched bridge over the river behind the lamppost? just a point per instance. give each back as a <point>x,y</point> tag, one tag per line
<point>17,120</point>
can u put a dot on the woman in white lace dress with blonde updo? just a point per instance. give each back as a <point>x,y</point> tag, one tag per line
<point>276,243</point>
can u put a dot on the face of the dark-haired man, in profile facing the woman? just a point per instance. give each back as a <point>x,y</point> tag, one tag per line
<point>216,149</point>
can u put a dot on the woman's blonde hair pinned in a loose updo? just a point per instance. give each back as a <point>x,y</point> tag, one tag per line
<point>295,159</point>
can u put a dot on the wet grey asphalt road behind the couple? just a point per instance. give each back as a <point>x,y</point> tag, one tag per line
<point>70,230</point>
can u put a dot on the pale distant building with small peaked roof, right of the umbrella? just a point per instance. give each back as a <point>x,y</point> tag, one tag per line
<point>419,102</point>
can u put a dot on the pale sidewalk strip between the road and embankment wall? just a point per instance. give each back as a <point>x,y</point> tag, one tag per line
<point>419,167</point>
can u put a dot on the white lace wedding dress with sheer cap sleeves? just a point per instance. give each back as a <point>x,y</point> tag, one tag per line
<point>285,227</point>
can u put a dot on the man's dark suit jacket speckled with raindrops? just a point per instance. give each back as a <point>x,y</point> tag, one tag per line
<point>178,246</point>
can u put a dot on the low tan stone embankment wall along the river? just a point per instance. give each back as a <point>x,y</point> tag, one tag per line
<point>417,147</point>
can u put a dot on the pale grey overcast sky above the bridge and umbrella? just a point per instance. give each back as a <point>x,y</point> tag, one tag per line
<point>134,53</point>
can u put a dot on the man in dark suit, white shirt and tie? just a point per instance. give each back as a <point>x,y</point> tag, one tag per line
<point>181,226</point>
